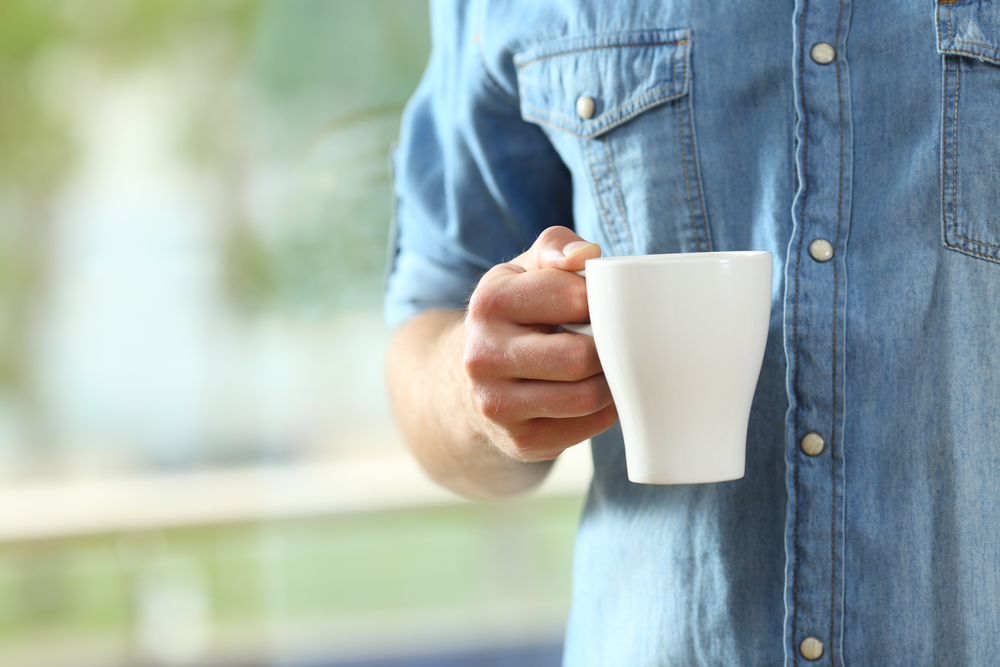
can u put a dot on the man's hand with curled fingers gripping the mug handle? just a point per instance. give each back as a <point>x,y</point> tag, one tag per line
<point>536,392</point>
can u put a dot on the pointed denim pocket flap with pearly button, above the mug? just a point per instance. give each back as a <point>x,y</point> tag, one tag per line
<point>588,85</point>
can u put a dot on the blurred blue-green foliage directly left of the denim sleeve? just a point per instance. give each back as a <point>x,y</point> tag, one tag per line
<point>329,80</point>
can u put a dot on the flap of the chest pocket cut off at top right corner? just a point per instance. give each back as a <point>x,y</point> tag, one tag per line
<point>969,28</point>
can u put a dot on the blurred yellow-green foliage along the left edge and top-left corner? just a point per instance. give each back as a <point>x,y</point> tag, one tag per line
<point>37,149</point>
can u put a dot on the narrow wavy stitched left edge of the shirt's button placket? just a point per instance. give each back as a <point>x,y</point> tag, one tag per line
<point>795,339</point>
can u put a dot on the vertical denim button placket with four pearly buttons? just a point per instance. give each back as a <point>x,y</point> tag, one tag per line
<point>814,527</point>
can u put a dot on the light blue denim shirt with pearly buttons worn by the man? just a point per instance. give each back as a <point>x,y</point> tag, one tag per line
<point>867,528</point>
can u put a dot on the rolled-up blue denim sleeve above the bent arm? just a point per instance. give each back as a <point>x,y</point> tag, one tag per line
<point>474,184</point>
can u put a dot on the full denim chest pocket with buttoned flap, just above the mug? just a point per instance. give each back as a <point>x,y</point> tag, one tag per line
<point>618,109</point>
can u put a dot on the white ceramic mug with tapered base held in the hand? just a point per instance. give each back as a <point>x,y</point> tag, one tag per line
<point>681,338</point>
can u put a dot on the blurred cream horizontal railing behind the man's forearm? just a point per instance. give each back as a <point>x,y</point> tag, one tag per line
<point>137,503</point>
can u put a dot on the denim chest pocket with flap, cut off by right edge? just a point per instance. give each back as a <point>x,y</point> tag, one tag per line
<point>969,41</point>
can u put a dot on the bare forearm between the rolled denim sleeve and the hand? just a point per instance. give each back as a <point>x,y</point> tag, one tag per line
<point>432,400</point>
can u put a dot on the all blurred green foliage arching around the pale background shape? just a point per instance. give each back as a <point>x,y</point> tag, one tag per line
<point>301,106</point>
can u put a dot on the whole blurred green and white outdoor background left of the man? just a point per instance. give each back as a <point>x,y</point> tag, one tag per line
<point>194,207</point>
